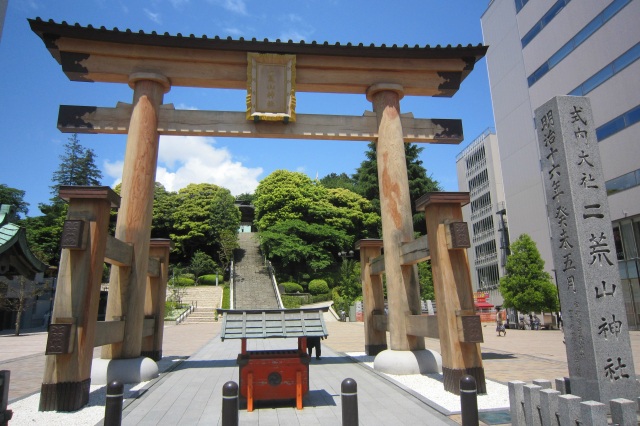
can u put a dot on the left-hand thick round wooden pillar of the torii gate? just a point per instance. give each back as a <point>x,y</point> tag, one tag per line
<point>127,285</point>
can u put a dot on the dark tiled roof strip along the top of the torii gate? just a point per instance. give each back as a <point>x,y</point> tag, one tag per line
<point>46,29</point>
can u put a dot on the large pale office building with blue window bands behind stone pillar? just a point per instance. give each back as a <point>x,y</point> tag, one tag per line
<point>542,48</point>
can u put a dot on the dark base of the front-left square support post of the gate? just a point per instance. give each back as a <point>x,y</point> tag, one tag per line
<point>65,396</point>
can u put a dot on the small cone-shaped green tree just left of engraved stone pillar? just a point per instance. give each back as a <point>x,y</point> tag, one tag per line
<point>527,287</point>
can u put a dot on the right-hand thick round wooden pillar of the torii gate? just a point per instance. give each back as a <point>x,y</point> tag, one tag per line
<point>403,288</point>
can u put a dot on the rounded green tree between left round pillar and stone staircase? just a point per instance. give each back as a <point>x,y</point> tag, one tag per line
<point>205,211</point>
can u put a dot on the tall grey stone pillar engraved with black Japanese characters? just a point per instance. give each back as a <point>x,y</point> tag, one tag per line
<point>597,334</point>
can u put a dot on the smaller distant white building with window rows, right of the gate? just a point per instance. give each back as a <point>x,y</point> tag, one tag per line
<point>480,173</point>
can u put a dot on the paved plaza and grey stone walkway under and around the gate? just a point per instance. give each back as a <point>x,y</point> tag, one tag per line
<point>191,391</point>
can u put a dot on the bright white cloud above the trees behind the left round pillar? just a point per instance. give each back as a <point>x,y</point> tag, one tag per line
<point>189,159</point>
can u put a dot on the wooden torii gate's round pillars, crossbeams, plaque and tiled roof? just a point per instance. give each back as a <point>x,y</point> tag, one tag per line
<point>151,64</point>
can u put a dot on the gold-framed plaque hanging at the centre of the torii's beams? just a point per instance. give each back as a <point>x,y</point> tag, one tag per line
<point>271,87</point>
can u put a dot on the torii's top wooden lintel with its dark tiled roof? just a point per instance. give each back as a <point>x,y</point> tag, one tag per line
<point>102,55</point>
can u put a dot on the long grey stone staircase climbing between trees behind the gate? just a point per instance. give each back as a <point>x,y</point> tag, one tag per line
<point>252,284</point>
